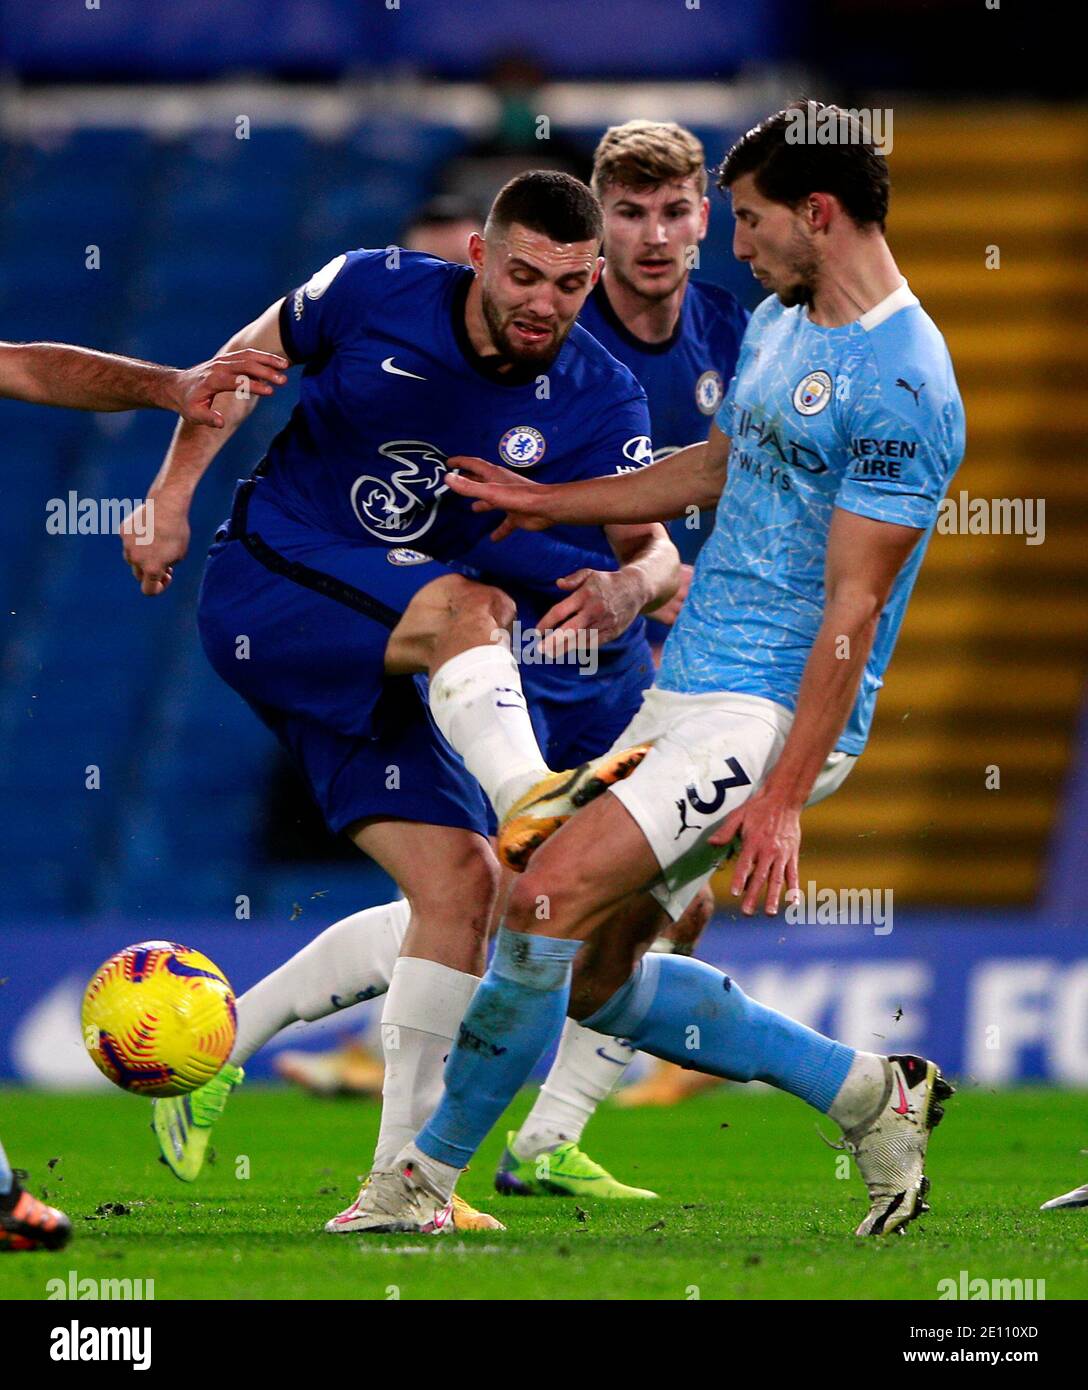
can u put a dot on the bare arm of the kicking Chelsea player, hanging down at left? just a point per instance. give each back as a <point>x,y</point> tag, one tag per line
<point>188,458</point>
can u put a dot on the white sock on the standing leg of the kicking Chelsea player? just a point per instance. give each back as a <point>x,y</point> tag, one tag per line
<point>423,1013</point>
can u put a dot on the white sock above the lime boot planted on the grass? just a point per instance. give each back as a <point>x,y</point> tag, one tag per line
<point>588,1067</point>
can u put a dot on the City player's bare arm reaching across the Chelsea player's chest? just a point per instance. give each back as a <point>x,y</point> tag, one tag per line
<point>665,490</point>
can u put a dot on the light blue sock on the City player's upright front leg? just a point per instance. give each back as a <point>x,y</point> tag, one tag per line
<point>516,1014</point>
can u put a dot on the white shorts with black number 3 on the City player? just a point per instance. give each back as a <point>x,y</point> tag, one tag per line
<point>709,754</point>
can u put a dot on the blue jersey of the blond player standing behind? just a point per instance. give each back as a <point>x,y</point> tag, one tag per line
<point>684,377</point>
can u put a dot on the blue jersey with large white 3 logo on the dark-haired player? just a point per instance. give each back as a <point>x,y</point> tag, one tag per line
<point>393,389</point>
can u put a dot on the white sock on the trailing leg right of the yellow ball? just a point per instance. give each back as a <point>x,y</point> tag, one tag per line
<point>351,961</point>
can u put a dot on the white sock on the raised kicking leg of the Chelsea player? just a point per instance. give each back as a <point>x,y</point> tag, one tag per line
<point>479,704</point>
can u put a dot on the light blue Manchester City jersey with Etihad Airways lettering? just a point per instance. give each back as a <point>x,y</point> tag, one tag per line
<point>866,418</point>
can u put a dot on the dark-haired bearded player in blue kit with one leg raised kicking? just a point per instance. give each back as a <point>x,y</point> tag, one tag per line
<point>337,568</point>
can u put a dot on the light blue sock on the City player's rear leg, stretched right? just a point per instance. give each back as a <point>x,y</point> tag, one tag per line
<point>689,1013</point>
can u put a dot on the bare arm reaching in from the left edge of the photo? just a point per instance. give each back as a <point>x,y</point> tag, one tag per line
<point>81,379</point>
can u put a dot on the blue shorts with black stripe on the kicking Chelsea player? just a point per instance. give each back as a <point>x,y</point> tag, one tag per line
<point>297,621</point>
